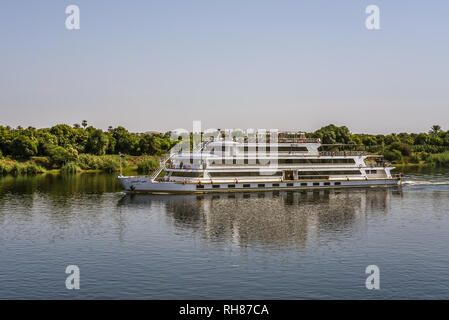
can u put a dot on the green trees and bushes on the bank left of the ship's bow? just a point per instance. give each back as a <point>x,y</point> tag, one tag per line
<point>79,148</point>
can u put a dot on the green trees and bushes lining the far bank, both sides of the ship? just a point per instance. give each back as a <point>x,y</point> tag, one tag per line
<point>80,148</point>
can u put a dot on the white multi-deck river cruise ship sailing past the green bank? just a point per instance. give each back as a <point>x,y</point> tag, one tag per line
<point>242,165</point>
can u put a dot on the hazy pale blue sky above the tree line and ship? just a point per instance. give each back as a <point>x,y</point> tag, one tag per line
<point>158,65</point>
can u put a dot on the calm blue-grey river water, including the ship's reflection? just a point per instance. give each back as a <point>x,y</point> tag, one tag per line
<point>289,245</point>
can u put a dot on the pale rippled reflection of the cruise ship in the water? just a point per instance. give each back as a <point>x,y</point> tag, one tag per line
<point>270,219</point>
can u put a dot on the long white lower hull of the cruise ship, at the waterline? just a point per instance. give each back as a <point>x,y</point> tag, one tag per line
<point>147,185</point>
